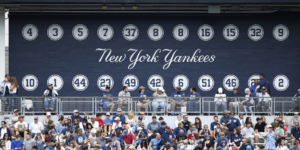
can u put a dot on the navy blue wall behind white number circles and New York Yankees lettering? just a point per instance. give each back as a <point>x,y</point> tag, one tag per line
<point>68,57</point>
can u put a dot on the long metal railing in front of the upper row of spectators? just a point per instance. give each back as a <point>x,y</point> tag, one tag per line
<point>151,105</point>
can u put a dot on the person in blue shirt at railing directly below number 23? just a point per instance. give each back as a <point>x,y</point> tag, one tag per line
<point>107,101</point>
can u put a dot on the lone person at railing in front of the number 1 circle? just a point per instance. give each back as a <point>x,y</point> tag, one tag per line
<point>51,93</point>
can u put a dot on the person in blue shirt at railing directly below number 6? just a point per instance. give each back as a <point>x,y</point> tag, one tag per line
<point>177,99</point>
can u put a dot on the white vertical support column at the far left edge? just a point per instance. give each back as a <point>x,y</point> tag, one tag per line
<point>2,43</point>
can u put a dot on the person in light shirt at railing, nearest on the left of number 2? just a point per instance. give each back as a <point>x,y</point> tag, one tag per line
<point>264,99</point>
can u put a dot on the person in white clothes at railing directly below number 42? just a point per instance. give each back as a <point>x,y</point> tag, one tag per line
<point>159,100</point>
